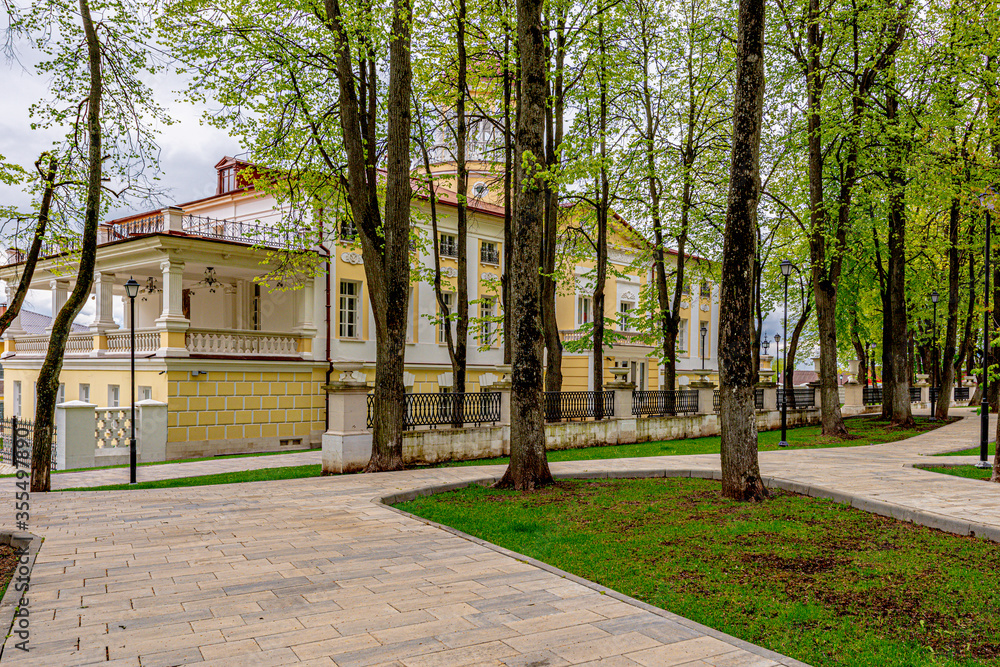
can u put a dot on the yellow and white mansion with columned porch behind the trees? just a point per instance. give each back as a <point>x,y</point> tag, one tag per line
<point>242,364</point>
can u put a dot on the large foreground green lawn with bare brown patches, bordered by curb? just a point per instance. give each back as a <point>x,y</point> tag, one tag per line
<point>809,578</point>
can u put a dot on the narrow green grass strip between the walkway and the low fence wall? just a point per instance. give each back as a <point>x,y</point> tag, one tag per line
<point>867,430</point>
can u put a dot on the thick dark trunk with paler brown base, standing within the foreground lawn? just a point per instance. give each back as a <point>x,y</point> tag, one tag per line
<point>740,470</point>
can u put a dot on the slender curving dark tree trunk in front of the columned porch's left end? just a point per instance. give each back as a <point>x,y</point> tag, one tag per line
<point>48,376</point>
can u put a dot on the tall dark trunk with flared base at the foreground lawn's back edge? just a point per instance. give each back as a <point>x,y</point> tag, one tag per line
<point>529,468</point>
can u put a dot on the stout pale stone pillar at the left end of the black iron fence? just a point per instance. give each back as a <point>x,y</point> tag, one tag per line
<point>347,445</point>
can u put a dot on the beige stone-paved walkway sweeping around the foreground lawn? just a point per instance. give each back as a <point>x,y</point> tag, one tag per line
<point>314,572</point>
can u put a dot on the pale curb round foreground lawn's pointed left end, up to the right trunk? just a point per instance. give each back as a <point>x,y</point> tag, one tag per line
<point>631,474</point>
